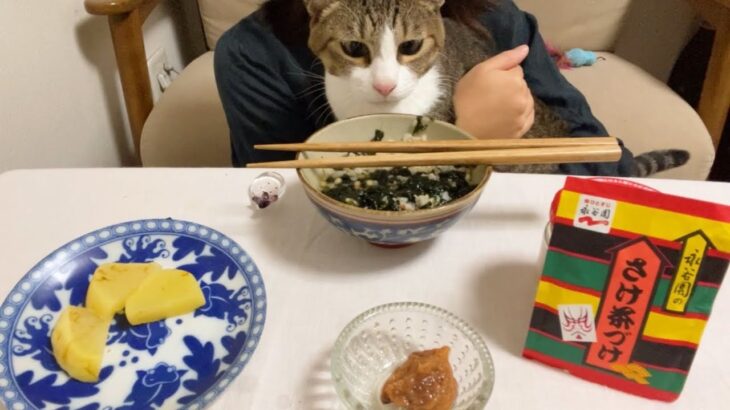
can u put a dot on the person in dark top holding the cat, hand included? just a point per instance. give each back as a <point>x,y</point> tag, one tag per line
<point>272,89</point>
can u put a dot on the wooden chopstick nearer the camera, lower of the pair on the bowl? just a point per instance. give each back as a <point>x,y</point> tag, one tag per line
<point>546,155</point>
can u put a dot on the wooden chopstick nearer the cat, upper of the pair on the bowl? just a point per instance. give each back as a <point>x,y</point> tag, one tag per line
<point>441,145</point>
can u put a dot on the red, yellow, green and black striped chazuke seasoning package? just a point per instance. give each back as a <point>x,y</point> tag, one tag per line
<point>628,284</point>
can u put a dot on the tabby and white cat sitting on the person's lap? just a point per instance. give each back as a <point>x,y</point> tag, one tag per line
<point>402,56</point>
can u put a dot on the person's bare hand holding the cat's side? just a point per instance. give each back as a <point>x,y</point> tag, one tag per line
<point>493,100</point>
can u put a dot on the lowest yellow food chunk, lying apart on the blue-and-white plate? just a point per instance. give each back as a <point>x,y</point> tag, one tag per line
<point>78,341</point>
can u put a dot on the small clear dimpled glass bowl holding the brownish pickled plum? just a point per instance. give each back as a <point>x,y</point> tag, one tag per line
<point>375,343</point>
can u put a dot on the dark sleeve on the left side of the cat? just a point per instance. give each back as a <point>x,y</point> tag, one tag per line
<point>260,84</point>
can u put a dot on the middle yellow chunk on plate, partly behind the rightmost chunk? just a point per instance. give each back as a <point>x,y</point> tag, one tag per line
<point>112,284</point>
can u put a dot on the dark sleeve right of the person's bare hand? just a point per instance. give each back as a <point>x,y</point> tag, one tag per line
<point>512,27</point>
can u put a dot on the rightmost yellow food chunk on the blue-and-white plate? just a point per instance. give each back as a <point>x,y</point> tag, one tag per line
<point>163,294</point>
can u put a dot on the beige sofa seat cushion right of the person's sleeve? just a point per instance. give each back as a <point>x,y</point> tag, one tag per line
<point>645,113</point>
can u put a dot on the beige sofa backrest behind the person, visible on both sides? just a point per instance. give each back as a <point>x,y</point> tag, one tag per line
<point>650,33</point>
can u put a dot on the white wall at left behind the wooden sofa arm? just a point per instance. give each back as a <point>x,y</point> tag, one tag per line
<point>60,100</point>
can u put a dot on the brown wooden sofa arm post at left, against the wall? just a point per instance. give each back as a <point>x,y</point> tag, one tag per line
<point>126,18</point>
